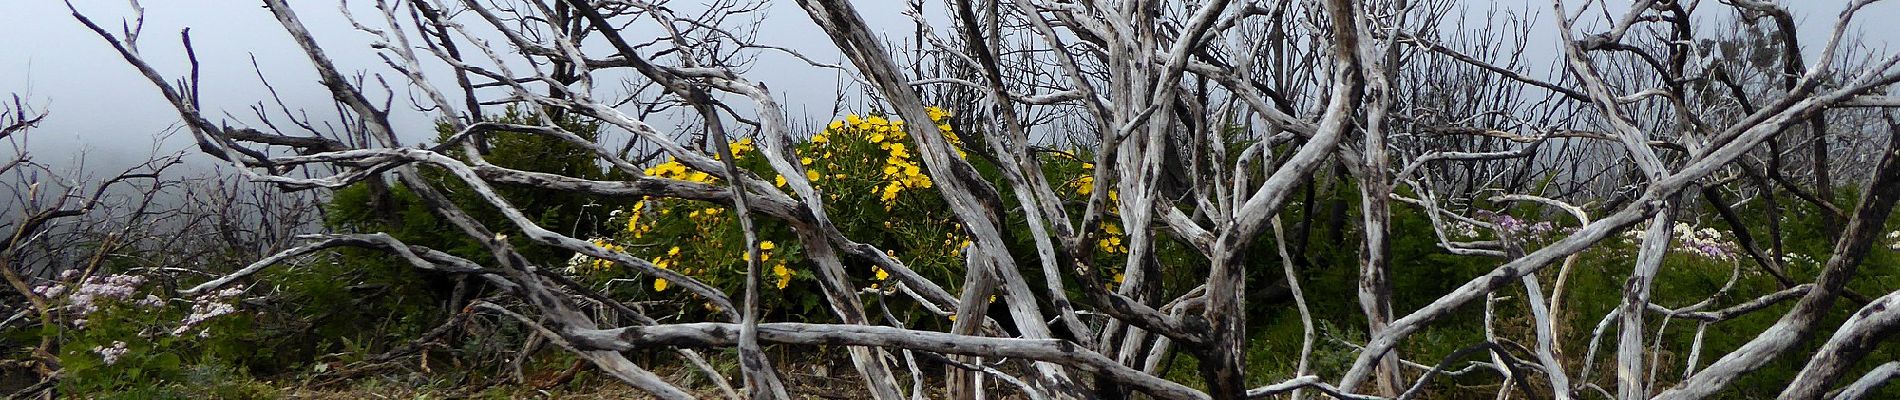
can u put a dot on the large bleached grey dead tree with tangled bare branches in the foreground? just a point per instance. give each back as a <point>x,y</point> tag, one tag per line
<point>1158,92</point>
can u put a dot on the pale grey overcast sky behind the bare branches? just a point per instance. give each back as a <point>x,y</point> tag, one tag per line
<point>104,109</point>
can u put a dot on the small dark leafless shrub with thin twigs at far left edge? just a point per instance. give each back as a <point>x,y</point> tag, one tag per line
<point>60,228</point>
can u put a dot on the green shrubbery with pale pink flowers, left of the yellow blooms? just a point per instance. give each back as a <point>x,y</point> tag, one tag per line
<point>341,306</point>
